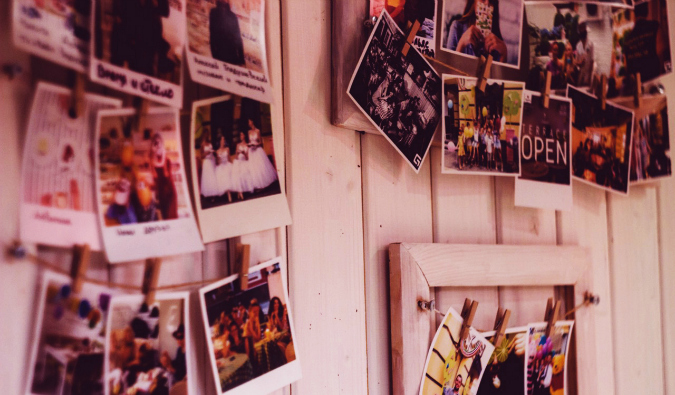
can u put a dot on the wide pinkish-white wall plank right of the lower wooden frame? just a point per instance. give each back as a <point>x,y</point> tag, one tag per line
<point>635,291</point>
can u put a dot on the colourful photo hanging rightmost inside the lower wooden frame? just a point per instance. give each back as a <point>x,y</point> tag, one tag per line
<point>546,358</point>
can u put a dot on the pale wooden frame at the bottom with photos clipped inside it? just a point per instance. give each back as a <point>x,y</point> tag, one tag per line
<point>415,269</point>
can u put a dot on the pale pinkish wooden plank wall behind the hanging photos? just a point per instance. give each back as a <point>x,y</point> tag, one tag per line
<point>351,195</point>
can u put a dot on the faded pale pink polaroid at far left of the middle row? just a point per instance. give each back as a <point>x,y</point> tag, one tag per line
<point>58,204</point>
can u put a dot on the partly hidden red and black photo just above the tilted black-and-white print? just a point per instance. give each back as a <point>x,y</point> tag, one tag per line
<point>406,12</point>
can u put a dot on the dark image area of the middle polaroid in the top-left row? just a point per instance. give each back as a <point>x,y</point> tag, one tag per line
<point>145,36</point>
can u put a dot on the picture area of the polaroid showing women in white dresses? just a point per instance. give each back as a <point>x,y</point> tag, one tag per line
<point>234,151</point>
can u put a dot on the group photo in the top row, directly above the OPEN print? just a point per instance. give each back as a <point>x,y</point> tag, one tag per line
<point>569,40</point>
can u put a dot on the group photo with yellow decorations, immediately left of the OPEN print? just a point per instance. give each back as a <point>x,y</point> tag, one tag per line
<point>481,130</point>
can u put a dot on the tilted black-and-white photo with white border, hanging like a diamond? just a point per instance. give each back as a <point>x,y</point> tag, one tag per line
<point>399,94</point>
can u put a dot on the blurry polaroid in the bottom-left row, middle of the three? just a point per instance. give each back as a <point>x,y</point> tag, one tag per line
<point>146,345</point>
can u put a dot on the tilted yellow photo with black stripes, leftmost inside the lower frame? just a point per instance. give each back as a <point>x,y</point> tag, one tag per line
<point>455,367</point>
